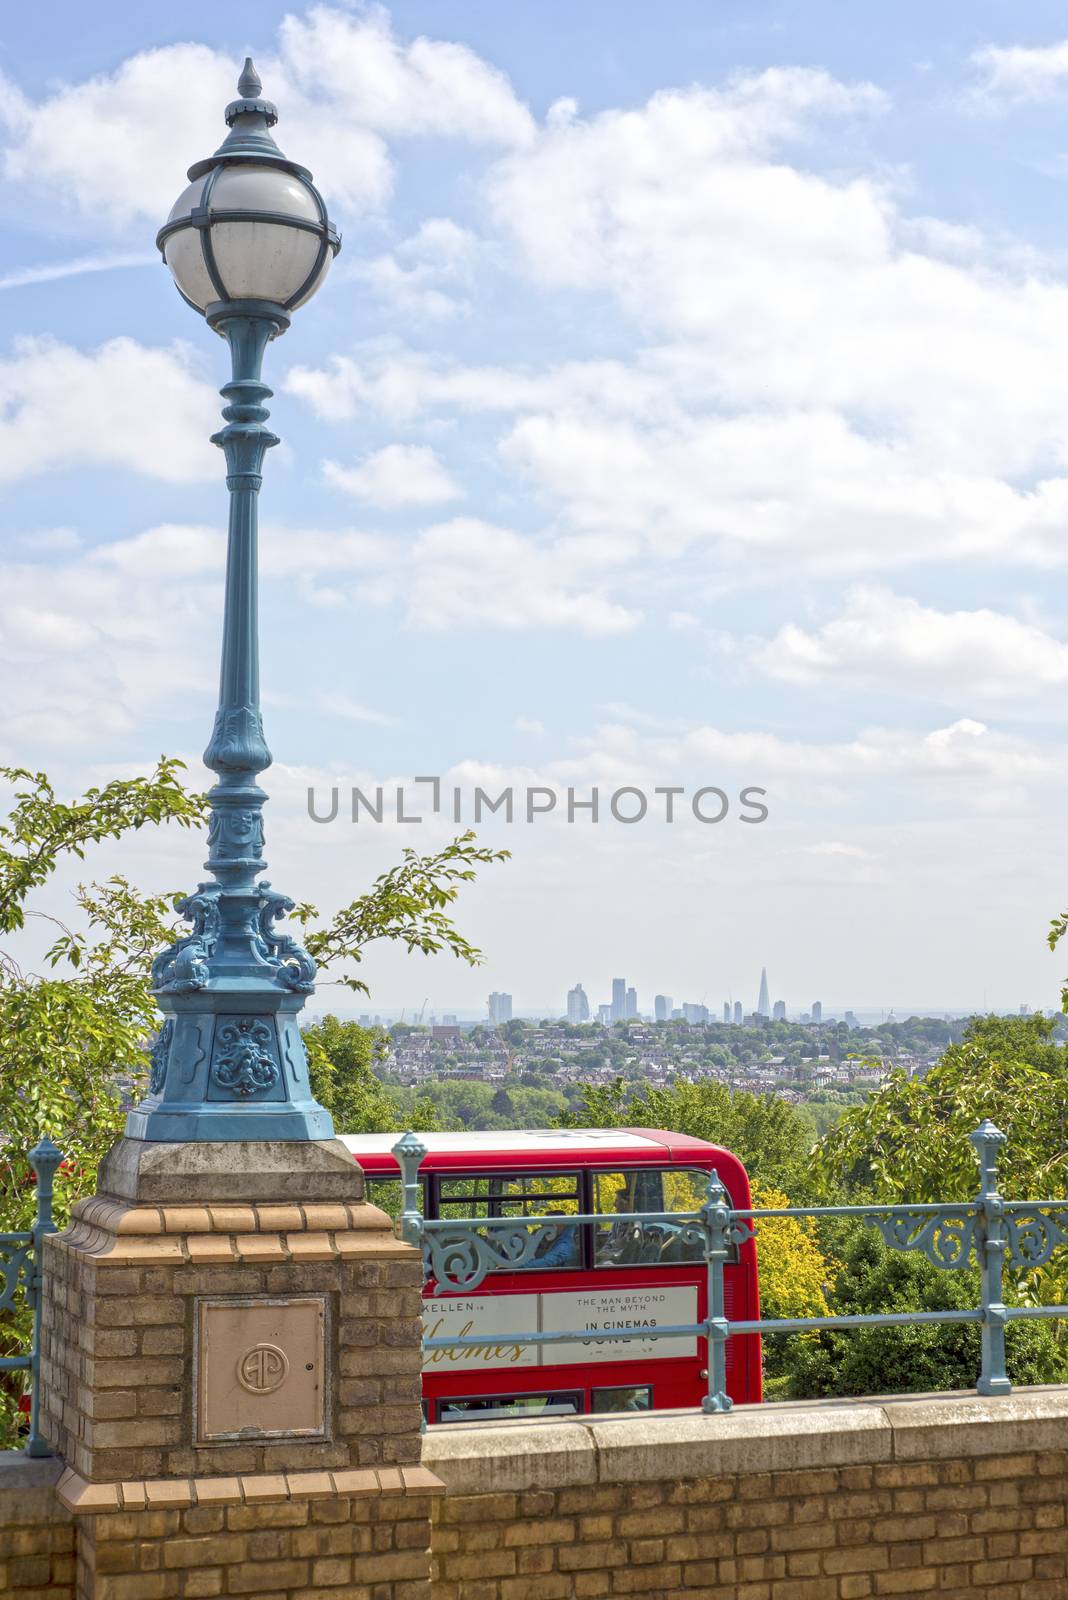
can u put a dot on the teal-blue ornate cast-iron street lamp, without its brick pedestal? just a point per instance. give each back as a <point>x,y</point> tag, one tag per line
<point>249,242</point>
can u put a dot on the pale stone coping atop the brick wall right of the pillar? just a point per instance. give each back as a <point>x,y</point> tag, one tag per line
<point>794,1436</point>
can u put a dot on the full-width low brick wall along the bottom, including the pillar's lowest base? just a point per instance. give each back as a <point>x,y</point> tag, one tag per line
<point>944,1497</point>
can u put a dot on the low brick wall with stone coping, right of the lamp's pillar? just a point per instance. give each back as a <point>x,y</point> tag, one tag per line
<point>949,1498</point>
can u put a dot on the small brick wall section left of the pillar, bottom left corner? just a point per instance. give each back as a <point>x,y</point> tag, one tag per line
<point>36,1532</point>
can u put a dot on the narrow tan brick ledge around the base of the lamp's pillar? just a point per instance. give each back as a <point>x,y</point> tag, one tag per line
<point>84,1498</point>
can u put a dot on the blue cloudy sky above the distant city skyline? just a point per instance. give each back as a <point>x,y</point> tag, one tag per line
<point>688,406</point>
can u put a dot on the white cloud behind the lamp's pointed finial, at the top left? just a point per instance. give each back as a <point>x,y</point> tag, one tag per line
<point>114,148</point>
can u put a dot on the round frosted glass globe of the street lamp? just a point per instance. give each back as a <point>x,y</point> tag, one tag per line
<point>263,258</point>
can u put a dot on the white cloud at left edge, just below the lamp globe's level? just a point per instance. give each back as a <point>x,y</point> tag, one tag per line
<point>121,406</point>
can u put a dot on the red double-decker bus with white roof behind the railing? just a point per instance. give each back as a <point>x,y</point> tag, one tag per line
<point>594,1278</point>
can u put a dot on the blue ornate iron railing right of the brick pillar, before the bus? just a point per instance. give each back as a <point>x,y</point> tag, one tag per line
<point>989,1231</point>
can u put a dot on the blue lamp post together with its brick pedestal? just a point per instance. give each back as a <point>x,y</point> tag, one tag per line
<point>229,1332</point>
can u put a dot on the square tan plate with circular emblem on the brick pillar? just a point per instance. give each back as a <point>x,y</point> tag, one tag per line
<point>261,1369</point>
